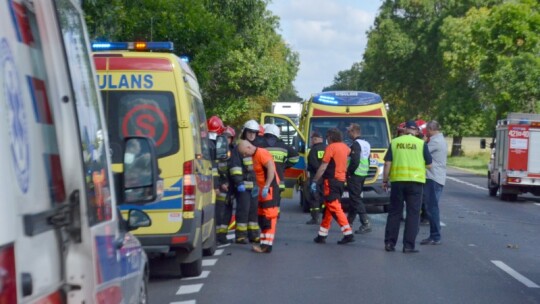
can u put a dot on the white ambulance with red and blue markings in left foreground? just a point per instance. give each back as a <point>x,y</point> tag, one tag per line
<point>61,237</point>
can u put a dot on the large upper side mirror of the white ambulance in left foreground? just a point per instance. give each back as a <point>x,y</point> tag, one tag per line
<point>141,183</point>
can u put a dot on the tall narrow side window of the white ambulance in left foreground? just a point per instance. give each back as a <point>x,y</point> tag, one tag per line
<point>91,125</point>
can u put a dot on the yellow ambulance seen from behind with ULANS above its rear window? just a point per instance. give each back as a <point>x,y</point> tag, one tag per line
<point>149,91</point>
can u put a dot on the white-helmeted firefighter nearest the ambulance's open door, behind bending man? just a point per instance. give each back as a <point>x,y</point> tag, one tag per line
<point>284,156</point>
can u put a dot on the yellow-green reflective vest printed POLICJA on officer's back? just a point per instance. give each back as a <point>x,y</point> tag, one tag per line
<point>408,164</point>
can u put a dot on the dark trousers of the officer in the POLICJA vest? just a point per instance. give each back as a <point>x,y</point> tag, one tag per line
<point>411,193</point>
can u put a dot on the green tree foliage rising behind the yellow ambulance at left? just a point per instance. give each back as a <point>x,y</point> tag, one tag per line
<point>241,62</point>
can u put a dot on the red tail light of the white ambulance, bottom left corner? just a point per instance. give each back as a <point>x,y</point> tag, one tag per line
<point>8,283</point>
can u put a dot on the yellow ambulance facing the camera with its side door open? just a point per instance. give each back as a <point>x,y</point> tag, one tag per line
<point>338,109</point>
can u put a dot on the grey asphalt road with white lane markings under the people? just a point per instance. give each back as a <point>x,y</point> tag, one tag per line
<point>490,254</point>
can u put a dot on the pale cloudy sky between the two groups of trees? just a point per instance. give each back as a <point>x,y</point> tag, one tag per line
<point>329,36</point>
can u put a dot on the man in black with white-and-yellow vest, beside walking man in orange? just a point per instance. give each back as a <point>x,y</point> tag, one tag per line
<point>357,172</point>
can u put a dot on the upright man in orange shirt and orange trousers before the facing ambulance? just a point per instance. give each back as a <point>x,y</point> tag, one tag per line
<point>333,171</point>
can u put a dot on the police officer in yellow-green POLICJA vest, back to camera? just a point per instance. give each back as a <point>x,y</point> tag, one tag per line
<point>405,167</point>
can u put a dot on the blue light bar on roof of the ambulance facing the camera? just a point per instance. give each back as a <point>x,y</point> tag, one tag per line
<point>346,98</point>
